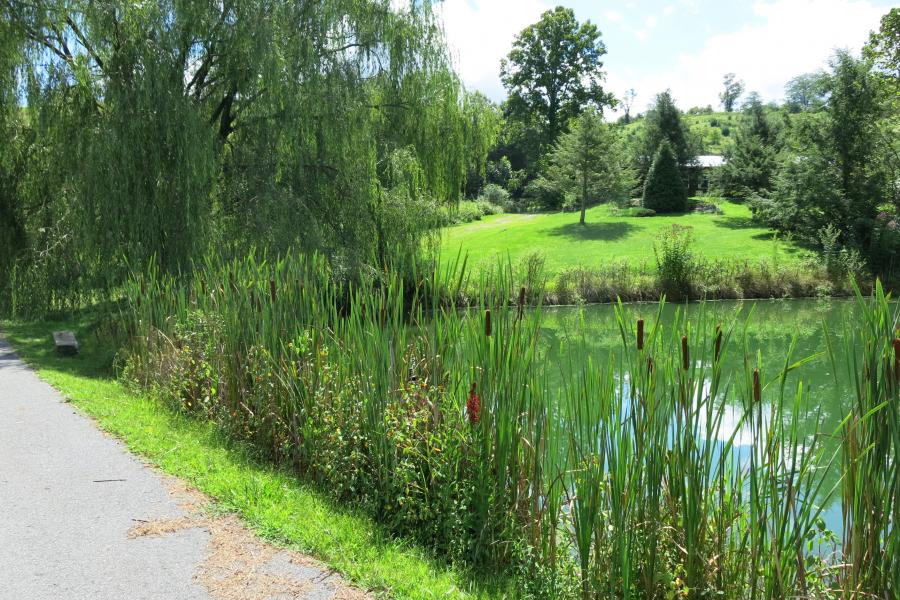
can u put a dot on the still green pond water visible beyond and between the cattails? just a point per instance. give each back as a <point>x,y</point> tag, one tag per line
<point>574,334</point>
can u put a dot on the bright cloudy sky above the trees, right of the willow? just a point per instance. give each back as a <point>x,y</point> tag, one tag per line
<point>683,45</point>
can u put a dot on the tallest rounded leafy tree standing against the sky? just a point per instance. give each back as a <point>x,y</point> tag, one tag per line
<point>554,71</point>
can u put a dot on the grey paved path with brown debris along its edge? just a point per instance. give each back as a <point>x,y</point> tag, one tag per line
<point>80,517</point>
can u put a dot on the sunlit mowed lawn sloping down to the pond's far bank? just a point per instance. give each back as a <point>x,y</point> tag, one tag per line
<point>606,238</point>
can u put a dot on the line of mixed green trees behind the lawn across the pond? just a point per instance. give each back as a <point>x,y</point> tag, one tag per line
<point>823,166</point>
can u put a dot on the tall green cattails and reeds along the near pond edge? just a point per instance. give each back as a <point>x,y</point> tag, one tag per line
<point>612,478</point>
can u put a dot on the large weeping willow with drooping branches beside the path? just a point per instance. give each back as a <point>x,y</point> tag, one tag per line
<point>165,129</point>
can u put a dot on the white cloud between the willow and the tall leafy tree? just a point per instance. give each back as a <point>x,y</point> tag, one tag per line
<point>480,33</point>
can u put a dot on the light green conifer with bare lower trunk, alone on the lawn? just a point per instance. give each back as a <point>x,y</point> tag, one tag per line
<point>588,160</point>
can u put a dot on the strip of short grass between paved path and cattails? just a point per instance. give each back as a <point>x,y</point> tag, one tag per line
<point>275,504</point>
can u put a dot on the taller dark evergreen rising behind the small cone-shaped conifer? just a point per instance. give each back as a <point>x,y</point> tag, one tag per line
<point>663,122</point>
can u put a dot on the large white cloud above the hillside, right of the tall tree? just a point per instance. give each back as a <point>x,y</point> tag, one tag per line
<point>793,37</point>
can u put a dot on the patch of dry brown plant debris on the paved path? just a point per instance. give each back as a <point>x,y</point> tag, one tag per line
<point>238,565</point>
